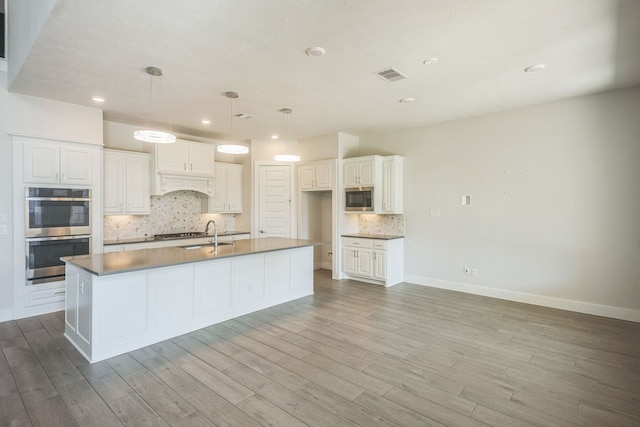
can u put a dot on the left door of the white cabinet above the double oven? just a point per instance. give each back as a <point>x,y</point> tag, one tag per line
<point>41,162</point>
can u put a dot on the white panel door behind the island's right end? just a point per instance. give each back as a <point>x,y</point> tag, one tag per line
<point>274,201</point>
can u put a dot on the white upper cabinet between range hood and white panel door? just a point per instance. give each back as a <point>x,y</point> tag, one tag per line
<point>227,197</point>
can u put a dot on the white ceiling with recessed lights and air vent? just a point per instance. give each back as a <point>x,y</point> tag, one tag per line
<point>257,48</point>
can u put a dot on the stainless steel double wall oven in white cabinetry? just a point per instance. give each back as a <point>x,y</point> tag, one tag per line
<point>58,224</point>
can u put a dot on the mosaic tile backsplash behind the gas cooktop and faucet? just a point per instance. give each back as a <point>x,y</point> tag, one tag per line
<point>172,213</point>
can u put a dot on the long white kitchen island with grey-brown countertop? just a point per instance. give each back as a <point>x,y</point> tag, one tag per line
<point>121,301</point>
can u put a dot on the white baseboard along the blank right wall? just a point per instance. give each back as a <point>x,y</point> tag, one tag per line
<point>563,304</point>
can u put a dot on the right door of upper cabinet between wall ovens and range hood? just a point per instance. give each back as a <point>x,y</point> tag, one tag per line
<point>137,187</point>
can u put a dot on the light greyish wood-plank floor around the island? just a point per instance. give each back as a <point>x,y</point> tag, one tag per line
<point>352,354</point>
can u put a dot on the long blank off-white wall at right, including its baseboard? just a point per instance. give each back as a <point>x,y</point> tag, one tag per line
<point>555,214</point>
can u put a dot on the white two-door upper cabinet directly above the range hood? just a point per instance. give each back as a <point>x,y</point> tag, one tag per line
<point>185,158</point>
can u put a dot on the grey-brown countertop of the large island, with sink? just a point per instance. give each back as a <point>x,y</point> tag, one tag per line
<point>127,261</point>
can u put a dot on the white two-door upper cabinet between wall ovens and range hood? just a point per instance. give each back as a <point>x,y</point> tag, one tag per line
<point>126,183</point>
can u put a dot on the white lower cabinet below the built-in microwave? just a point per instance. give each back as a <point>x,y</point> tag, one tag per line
<point>373,260</point>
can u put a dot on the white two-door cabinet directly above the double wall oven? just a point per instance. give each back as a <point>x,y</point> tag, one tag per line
<point>54,163</point>
